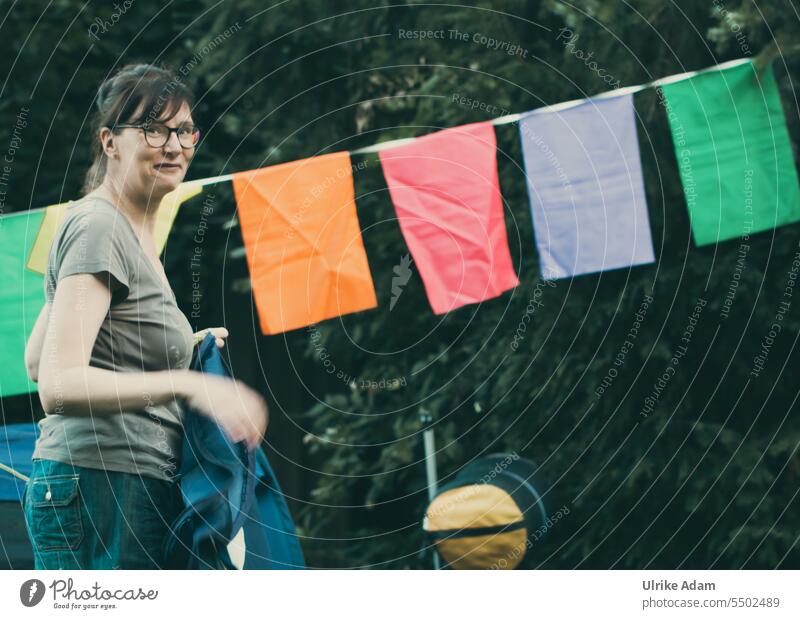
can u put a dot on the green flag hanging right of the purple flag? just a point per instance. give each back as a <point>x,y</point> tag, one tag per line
<point>733,152</point>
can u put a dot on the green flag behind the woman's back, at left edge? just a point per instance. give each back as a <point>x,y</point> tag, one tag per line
<point>21,298</point>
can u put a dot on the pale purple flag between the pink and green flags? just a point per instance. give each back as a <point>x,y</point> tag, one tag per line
<point>586,188</point>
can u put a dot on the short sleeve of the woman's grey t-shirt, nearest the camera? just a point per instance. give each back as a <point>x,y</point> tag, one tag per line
<point>91,241</point>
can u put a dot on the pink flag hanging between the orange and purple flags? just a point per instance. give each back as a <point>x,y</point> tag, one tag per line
<point>447,197</point>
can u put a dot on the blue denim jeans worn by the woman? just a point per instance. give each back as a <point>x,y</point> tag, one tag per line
<point>83,518</point>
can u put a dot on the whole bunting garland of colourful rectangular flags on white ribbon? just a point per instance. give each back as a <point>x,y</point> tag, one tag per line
<point>586,190</point>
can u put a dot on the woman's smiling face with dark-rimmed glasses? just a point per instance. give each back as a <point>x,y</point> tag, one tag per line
<point>145,170</point>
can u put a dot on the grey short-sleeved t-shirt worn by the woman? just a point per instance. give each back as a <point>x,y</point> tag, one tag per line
<point>143,331</point>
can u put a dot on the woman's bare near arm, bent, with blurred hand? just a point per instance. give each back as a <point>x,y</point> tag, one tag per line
<point>69,385</point>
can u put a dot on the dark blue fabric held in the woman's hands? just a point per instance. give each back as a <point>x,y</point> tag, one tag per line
<point>228,489</point>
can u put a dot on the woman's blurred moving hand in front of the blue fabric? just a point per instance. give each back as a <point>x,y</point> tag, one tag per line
<point>240,411</point>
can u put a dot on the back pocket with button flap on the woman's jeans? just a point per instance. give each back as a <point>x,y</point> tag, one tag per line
<point>53,512</point>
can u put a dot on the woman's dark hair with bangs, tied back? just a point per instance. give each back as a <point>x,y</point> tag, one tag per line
<point>138,93</point>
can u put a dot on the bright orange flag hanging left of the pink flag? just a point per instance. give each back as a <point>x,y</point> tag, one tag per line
<point>303,242</point>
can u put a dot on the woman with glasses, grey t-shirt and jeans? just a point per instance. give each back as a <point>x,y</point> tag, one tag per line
<point>111,349</point>
